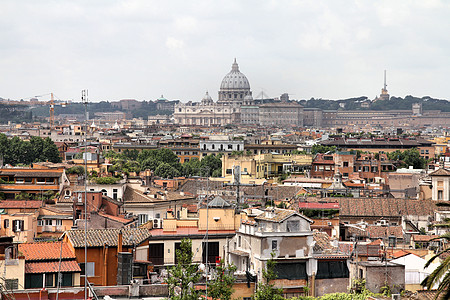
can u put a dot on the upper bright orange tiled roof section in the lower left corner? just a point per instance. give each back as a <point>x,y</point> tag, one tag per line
<point>45,251</point>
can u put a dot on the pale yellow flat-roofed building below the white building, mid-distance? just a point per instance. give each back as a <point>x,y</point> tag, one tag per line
<point>267,165</point>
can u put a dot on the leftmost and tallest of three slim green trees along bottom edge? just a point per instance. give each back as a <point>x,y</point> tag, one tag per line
<point>184,275</point>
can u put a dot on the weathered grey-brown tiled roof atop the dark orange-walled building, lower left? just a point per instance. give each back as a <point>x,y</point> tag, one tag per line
<point>99,237</point>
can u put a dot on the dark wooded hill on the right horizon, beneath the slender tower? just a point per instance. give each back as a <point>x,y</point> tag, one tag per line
<point>394,103</point>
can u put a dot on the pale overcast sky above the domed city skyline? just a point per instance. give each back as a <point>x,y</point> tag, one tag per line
<point>142,49</point>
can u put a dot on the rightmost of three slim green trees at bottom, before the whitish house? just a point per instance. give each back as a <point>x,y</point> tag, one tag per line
<point>267,290</point>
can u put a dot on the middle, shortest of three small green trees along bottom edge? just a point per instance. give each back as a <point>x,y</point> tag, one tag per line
<point>221,288</point>
